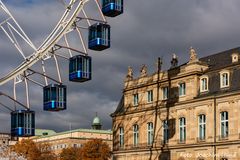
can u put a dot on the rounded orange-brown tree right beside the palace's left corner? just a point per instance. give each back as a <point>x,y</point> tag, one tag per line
<point>96,150</point>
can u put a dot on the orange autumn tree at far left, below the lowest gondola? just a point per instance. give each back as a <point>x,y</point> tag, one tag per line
<point>32,151</point>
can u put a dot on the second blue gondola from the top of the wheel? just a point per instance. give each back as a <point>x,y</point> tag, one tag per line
<point>99,36</point>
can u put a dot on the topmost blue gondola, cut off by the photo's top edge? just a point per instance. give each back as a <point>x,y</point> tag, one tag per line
<point>112,8</point>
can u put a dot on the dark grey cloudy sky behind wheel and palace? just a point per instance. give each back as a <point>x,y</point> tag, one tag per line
<point>147,30</point>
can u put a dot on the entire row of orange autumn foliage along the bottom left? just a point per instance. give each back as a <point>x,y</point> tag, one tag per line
<point>92,150</point>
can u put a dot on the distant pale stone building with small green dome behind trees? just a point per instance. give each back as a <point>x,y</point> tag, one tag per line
<point>73,138</point>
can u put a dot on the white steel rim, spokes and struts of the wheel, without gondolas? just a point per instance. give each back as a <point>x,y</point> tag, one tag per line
<point>48,50</point>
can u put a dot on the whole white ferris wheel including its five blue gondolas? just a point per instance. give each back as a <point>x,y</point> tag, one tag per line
<point>65,44</point>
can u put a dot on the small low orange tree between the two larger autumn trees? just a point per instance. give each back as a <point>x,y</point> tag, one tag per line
<point>70,153</point>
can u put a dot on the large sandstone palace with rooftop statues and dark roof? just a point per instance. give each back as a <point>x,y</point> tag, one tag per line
<point>188,112</point>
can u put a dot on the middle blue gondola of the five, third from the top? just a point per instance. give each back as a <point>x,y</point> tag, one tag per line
<point>80,68</point>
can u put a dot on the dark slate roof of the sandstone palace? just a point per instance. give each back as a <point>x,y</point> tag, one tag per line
<point>215,63</point>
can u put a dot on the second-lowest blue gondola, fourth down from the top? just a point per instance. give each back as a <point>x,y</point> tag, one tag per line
<point>54,97</point>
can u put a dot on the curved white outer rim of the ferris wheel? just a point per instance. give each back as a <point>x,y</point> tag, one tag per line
<point>54,37</point>
